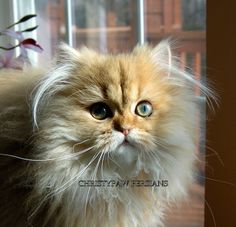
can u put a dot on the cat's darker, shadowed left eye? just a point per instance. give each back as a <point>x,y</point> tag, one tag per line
<point>100,111</point>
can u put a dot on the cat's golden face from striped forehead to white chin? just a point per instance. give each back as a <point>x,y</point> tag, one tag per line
<point>121,103</point>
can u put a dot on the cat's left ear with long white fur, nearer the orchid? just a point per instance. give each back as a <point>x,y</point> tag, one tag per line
<point>67,54</point>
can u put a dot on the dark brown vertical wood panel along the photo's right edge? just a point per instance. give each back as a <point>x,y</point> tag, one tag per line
<point>221,130</point>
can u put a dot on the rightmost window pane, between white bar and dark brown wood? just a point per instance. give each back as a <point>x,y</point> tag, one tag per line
<point>184,20</point>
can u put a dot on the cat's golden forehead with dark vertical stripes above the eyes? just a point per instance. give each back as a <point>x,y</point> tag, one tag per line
<point>122,79</point>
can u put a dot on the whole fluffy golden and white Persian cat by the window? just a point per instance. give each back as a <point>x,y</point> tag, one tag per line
<point>96,118</point>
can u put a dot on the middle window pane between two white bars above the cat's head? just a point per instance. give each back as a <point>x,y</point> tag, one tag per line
<point>114,29</point>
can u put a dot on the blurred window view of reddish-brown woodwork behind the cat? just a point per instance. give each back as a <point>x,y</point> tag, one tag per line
<point>117,26</point>
